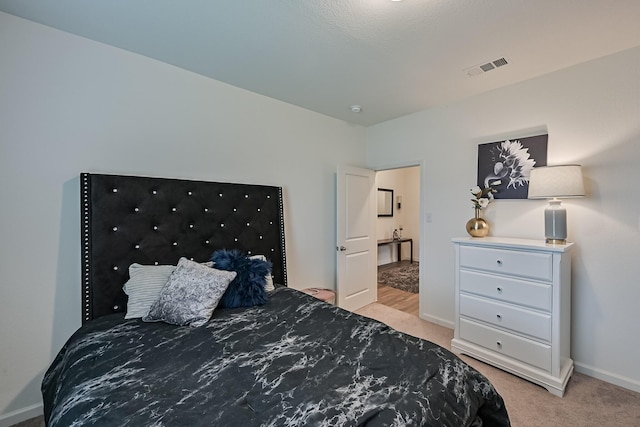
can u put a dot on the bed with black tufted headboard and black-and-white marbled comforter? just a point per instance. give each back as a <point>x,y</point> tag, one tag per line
<point>290,360</point>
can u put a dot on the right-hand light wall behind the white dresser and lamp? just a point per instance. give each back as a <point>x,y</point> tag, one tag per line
<point>591,114</point>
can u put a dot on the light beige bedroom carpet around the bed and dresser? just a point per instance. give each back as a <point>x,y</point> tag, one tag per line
<point>587,401</point>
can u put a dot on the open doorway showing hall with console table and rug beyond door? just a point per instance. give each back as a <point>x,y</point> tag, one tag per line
<point>398,236</point>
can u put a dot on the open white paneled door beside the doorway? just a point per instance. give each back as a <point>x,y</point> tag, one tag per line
<point>356,242</point>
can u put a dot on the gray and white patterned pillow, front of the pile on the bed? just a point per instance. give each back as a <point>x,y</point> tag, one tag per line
<point>191,294</point>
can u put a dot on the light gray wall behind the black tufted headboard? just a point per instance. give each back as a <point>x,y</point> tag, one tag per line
<point>70,105</point>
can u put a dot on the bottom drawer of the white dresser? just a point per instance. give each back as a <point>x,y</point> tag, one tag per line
<point>527,351</point>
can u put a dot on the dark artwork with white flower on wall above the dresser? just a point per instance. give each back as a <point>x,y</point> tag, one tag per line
<point>506,165</point>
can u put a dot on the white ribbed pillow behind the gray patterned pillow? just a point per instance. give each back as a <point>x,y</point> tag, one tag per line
<point>144,286</point>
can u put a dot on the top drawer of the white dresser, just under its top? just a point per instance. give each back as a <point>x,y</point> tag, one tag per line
<point>514,262</point>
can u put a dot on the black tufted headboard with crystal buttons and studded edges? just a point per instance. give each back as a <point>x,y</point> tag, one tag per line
<point>127,219</point>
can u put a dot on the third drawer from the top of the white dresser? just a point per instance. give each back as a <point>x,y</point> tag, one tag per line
<point>519,320</point>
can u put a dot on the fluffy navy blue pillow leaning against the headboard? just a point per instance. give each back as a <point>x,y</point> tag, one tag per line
<point>247,289</point>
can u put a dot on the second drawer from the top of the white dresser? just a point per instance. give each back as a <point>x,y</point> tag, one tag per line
<point>505,288</point>
